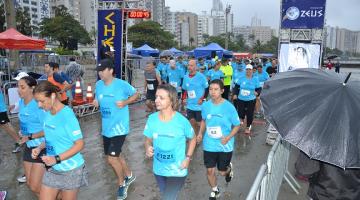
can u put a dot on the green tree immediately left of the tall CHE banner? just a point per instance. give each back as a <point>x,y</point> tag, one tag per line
<point>64,28</point>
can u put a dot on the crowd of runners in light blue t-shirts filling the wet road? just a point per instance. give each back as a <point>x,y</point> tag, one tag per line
<point>190,102</point>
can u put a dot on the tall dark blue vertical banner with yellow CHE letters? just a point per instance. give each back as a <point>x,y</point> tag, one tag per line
<point>110,25</point>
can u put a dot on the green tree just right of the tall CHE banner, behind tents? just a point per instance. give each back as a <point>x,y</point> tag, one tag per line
<point>151,33</point>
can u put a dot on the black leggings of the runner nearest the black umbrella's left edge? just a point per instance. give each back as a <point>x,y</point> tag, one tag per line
<point>246,108</point>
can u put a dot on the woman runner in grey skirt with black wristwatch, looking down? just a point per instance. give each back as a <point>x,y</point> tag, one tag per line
<point>63,142</point>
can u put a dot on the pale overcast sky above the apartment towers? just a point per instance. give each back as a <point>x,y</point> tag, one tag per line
<point>341,13</point>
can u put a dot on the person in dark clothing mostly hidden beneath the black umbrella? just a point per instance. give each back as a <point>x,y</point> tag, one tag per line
<point>334,183</point>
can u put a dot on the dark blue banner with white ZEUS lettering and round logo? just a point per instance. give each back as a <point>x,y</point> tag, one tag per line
<point>307,14</point>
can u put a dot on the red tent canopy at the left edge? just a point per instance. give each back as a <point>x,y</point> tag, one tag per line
<point>12,39</point>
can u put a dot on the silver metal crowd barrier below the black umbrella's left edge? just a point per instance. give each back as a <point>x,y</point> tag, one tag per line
<point>269,178</point>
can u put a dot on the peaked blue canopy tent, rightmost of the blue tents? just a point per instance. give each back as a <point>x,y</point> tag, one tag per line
<point>211,50</point>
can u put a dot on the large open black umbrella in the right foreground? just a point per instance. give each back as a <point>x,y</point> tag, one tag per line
<point>317,111</point>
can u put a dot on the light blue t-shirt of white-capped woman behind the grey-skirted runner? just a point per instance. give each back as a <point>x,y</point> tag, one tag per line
<point>31,119</point>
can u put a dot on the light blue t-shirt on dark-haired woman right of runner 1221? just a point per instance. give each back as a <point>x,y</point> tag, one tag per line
<point>219,120</point>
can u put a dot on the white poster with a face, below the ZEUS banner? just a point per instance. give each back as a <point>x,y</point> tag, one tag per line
<point>299,55</point>
